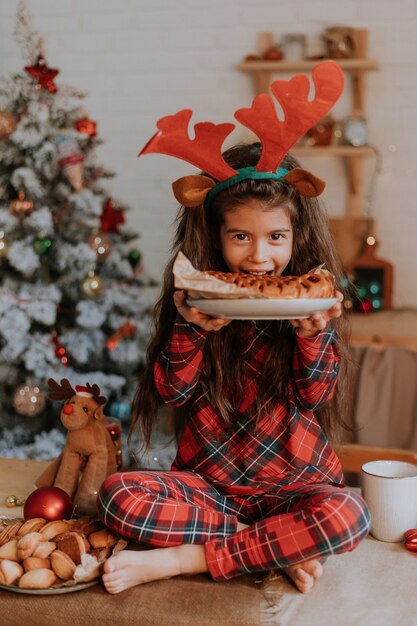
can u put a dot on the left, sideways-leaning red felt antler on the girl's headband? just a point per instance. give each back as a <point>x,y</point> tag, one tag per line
<point>204,151</point>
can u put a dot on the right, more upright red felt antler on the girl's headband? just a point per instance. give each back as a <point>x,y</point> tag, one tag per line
<point>300,114</point>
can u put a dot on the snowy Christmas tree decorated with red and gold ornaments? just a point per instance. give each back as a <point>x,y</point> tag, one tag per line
<point>72,297</point>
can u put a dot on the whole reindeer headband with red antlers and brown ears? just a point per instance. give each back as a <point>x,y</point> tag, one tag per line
<point>277,137</point>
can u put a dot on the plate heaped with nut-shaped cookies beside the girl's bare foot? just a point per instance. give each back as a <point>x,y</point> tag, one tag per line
<point>44,558</point>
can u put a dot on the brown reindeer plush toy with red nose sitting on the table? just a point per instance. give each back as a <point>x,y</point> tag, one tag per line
<point>89,455</point>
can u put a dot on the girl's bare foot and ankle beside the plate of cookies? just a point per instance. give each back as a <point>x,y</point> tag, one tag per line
<point>131,567</point>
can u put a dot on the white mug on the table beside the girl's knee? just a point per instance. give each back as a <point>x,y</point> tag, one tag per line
<point>389,488</point>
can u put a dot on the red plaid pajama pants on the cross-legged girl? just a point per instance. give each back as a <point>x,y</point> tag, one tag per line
<point>162,509</point>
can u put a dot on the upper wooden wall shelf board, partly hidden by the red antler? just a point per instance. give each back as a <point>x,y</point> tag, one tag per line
<point>348,65</point>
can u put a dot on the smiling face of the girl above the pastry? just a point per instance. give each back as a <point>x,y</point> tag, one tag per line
<point>256,240</point>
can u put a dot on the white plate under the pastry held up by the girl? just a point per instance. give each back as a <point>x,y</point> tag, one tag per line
<point>262,308</point>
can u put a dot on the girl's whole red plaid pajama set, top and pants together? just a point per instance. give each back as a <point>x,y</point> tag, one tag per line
<point>274,474</point>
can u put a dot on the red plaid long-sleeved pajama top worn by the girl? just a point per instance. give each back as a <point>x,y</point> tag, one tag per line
<point>284,449</point>
